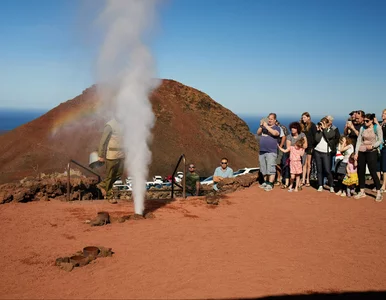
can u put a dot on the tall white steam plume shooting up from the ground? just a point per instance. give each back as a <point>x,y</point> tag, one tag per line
<point>127,71</point>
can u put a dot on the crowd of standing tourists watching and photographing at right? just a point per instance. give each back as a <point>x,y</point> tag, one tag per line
<point>341,163</point>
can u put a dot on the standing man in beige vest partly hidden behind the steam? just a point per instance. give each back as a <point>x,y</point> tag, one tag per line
<point>111,151</point>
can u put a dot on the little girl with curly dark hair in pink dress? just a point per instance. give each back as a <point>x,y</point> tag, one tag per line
<point>296,168</point>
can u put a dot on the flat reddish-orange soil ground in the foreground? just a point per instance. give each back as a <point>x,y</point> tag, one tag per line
<point>253,244</point>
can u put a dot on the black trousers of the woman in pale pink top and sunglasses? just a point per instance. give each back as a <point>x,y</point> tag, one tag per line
<point>369,158</point>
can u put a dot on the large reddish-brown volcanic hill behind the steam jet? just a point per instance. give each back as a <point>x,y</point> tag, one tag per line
<point>187,121</point>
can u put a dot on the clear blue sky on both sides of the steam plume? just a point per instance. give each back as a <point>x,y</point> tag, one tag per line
<point>252,56</point>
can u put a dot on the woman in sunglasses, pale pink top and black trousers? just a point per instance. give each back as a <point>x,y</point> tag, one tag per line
<point>366,152</point>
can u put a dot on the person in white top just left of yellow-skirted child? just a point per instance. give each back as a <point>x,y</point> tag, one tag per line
<point>346,148</point>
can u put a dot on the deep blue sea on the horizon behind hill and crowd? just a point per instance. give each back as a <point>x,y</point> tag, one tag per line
<point>12,118</point>
